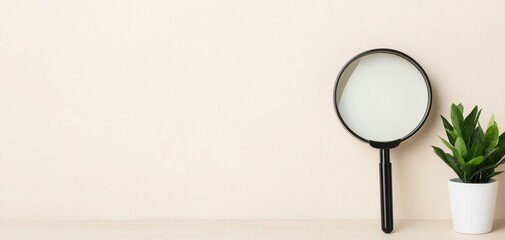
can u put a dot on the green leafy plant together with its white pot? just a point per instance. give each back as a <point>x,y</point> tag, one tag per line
<point>474,156</point>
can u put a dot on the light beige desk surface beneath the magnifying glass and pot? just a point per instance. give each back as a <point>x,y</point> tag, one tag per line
<point>238,229</point>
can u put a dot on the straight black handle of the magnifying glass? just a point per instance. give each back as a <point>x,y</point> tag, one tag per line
<point>386,192</point>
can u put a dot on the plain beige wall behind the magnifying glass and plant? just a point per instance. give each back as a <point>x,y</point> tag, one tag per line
<point>222,109</point>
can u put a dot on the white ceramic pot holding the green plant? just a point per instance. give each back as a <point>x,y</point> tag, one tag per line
<point>472,206</point>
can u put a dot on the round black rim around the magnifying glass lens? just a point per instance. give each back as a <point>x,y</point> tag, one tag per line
<point>393,143</point>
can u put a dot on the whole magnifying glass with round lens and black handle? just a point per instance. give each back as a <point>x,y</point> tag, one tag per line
<point>383,97</point>
